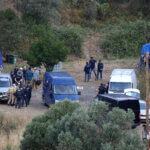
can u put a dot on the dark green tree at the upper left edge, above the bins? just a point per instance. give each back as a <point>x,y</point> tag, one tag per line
<point>12,31</point>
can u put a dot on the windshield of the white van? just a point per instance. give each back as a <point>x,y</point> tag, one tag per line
<point>119,86</point>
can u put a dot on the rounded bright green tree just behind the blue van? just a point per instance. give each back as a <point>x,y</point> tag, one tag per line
<point>47,50</point>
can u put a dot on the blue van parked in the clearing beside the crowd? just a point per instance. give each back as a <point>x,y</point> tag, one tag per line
<point>58,86</point>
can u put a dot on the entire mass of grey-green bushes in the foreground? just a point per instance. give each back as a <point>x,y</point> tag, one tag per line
<point>75,129</point>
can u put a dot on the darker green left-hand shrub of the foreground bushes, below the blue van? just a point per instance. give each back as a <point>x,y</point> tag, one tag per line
<point>36,135</point>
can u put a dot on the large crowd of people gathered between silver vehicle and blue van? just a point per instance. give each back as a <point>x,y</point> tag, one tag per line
<point>23,80</point>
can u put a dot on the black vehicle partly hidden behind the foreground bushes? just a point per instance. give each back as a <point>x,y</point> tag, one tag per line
<point>122,101</point>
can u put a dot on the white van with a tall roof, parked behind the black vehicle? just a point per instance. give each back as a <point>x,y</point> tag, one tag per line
<point>122,79</point>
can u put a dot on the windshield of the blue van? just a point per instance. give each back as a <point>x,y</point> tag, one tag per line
<point>65,89</point>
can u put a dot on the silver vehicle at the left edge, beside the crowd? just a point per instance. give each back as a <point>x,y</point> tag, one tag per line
<point>5,83</point>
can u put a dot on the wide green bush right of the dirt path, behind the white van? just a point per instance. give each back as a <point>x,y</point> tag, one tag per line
<point>126,40</point>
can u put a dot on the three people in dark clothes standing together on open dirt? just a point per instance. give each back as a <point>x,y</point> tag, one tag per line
<point>90,67</point>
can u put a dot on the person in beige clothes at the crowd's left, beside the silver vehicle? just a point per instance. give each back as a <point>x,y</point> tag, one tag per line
<point>11,92</point>
